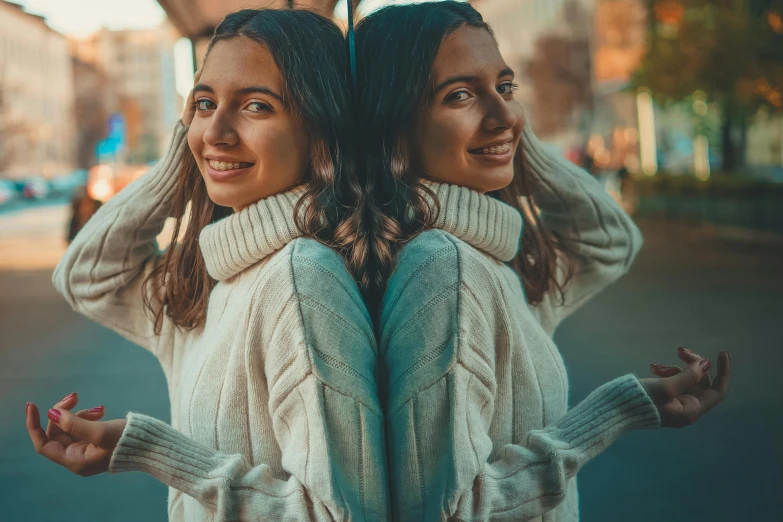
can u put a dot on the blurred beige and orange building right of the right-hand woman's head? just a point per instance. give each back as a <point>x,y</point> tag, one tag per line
<point>595,45</point>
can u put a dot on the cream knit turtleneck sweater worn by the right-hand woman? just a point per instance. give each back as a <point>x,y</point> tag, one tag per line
<point>477,417</point>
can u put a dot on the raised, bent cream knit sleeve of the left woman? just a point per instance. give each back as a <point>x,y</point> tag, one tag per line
<point>102,272</point>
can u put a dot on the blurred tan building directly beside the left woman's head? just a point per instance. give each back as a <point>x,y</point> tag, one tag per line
<point>134,72</point>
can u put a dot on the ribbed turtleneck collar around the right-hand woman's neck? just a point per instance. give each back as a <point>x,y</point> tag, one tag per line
<point>479,220</point>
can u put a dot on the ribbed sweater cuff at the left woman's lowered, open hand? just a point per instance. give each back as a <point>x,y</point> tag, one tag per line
<point>155,447</point>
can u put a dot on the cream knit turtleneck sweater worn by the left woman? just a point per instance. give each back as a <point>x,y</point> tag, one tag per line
<point>274,408</point>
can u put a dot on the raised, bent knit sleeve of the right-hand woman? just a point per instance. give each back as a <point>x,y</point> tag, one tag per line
<point>576,207</point>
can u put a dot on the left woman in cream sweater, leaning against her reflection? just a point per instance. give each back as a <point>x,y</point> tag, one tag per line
<point>266,345</point>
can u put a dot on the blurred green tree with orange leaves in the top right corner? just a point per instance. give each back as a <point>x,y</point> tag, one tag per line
<point>732,50</point>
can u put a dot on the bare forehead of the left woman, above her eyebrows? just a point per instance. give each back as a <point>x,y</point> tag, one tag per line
<point>241,62</point>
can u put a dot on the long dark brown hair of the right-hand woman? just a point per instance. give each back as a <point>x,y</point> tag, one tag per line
<point>394,82</point>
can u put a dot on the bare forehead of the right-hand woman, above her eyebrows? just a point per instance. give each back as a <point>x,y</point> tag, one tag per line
<point>468,51</point>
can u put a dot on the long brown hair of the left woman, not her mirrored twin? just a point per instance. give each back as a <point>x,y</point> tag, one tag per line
<point>309,50</point>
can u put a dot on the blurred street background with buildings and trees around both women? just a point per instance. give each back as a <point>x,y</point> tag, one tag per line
<point>675,106</point>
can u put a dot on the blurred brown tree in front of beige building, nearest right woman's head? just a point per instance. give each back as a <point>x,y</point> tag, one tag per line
<point>560,72</point>
